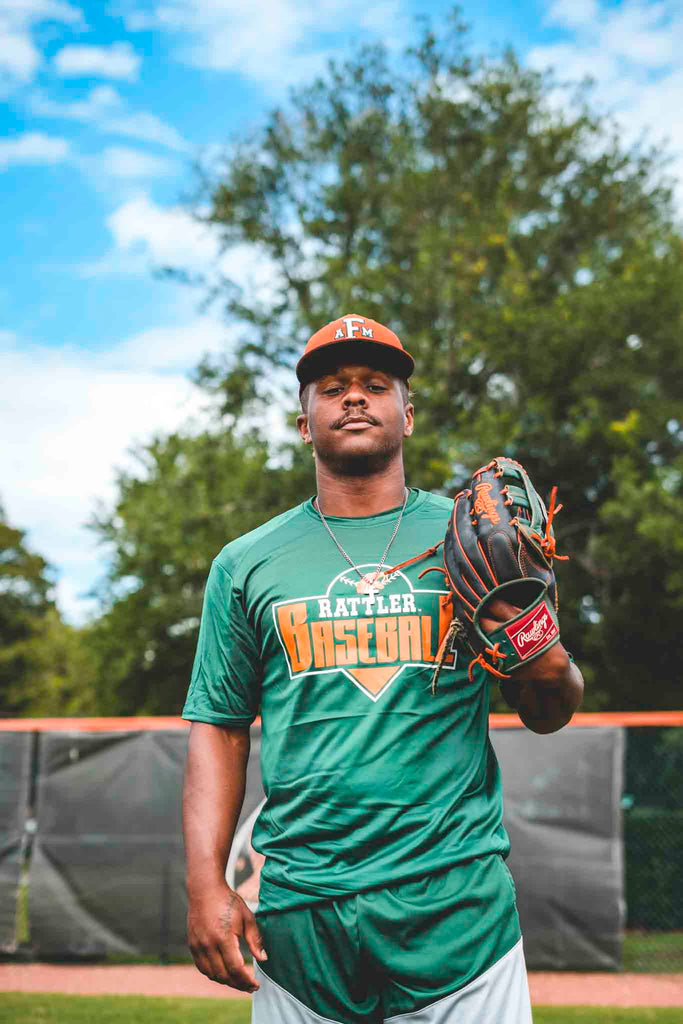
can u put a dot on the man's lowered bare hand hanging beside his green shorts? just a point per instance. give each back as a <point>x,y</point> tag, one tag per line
<point>216,922</point>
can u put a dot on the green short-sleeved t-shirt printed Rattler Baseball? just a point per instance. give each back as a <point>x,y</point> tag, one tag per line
<point>370,780</point>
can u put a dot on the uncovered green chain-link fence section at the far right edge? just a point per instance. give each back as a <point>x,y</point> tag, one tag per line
<point>653,804</point>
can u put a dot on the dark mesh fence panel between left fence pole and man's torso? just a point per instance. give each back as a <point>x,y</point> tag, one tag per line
<point>108,867</point>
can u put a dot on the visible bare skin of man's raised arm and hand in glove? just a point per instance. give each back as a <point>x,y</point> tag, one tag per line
<point>547,692</point>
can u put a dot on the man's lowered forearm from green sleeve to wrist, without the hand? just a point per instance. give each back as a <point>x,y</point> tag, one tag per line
<point>214,794</point>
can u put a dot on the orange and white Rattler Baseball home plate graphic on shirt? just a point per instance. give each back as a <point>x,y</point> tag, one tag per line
<point>370,629</point>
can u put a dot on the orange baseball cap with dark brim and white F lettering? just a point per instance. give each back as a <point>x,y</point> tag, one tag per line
<point>354,339</point>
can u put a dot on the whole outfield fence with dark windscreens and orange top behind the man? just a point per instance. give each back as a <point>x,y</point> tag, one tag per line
<point>108,872</point>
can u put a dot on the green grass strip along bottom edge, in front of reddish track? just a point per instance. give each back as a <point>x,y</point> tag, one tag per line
<point>29,1009</point>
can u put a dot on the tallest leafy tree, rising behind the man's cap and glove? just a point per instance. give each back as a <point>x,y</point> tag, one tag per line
<point>532,266</point>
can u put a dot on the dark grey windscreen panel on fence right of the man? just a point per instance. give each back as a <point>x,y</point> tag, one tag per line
<point>563,812</point>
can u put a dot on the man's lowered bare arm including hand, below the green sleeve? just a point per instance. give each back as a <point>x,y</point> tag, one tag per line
<point>215,790</point>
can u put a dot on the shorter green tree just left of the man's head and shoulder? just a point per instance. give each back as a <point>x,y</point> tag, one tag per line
<point>192,497</point>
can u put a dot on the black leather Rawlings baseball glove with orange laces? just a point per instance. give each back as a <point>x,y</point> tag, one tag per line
<point>500,544</point>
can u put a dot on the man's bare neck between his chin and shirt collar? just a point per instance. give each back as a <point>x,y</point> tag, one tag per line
<point>359,496</point>
